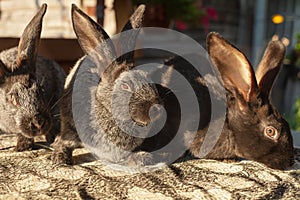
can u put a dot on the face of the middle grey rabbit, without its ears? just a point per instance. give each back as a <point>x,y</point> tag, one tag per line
<point>133,93</point>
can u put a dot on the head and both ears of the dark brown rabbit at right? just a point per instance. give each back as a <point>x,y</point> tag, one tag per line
<point>259,132</point>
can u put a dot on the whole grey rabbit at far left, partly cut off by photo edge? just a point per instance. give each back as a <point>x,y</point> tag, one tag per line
<point>31,85</point>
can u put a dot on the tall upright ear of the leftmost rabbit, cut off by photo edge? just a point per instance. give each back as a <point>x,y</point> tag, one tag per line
<point>30,39</point>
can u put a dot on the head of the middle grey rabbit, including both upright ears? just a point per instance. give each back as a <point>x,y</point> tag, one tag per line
<point>123,91</point>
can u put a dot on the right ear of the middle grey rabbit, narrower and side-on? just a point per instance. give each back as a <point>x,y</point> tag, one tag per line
<point>129,34</point>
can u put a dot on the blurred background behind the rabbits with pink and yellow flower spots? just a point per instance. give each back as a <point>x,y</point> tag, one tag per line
<point>249,25</point>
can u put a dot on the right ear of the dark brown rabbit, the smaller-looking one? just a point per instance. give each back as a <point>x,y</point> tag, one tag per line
<point>269,66</point>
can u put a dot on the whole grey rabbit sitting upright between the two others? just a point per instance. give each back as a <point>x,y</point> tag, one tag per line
<point>119,80</point>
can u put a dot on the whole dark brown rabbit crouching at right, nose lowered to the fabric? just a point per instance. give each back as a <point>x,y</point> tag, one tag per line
<point>253,128</point>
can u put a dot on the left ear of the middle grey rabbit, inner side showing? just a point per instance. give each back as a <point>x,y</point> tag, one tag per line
<point>92,38</point>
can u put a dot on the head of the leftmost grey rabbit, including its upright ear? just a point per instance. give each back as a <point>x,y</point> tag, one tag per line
<point>22,108</point>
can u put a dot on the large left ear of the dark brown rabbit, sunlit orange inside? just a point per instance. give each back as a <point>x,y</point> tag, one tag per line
<point>233,66</point>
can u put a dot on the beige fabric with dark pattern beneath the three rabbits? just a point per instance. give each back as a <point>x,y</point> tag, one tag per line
<point>30,175</point>
